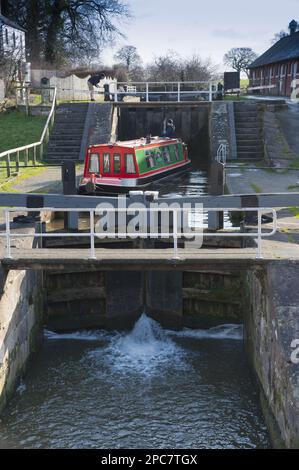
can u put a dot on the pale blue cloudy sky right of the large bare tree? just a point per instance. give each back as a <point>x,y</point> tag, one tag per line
<point>206,28</point>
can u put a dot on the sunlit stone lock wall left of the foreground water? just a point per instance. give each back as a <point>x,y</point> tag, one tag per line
<point>21,317</point>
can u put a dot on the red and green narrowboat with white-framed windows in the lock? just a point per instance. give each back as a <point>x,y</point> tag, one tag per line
<point>123,166</point>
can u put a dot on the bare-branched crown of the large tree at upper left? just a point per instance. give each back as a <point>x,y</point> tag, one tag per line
<point>60,31</point>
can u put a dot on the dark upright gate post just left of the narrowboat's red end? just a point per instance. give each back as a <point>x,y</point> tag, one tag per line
<point>68,170</point>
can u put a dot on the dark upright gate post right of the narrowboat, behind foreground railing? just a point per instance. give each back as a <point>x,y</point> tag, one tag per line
<point>217,182</point>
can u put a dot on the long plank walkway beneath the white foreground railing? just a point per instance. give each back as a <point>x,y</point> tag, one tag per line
<point>107,259</point>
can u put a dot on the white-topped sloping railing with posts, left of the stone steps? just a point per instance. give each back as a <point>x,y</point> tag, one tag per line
<point>35,146</point>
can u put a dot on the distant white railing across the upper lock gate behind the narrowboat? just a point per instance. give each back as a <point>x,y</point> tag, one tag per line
<point>173,90</point>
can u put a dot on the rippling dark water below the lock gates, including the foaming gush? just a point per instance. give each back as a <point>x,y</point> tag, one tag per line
<point>149,388</point>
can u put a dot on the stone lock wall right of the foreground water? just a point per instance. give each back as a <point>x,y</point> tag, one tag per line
<point>271,324</point>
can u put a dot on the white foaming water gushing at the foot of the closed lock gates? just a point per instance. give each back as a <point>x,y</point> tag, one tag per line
<point>147,349</point>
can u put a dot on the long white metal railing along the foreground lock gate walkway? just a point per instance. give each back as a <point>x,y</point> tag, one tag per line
<point>174,231</point>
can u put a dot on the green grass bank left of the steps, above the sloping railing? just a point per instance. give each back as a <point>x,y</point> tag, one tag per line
<point>17,129</point>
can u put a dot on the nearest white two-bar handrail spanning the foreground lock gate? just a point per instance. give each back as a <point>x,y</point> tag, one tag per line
<point>174,233</point>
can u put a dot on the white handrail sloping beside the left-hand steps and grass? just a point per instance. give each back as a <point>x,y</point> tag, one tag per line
<point>25,148</point>
